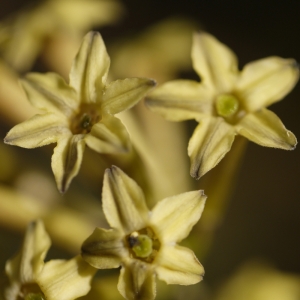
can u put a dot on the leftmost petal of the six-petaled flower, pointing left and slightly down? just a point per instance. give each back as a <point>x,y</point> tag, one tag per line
<point>40,130</point>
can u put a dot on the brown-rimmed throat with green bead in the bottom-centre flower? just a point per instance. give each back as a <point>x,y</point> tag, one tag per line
<point>143,244</point>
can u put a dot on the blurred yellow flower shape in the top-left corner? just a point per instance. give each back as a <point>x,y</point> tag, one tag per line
<point>23,36</point>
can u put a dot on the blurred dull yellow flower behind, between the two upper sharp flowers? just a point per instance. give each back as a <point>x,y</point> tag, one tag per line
<point>160,52</point>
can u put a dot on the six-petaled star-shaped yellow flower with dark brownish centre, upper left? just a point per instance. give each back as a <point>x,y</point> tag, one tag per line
<point>80,112</point>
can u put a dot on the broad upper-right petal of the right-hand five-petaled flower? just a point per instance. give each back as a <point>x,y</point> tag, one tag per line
<point>266,81</point>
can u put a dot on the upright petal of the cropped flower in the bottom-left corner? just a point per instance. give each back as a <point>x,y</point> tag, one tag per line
<point>29,262</point>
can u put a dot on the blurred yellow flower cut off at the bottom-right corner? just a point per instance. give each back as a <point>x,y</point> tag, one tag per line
<point>256,281</point>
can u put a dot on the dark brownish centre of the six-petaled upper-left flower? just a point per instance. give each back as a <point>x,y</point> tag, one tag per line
<point>83,122</point>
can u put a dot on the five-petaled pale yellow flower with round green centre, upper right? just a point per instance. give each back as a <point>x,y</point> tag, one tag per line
<point>227,102</point>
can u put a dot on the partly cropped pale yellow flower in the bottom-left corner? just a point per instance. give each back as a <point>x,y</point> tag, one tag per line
<point>30,278</point>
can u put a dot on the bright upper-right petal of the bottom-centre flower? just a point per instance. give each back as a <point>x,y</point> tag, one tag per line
<point>173,217</point>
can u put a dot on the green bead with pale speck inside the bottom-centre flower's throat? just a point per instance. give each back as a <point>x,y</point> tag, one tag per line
<point>141,244</point>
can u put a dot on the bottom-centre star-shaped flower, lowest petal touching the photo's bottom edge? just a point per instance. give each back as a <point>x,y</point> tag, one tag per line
<point>143,242</point>
